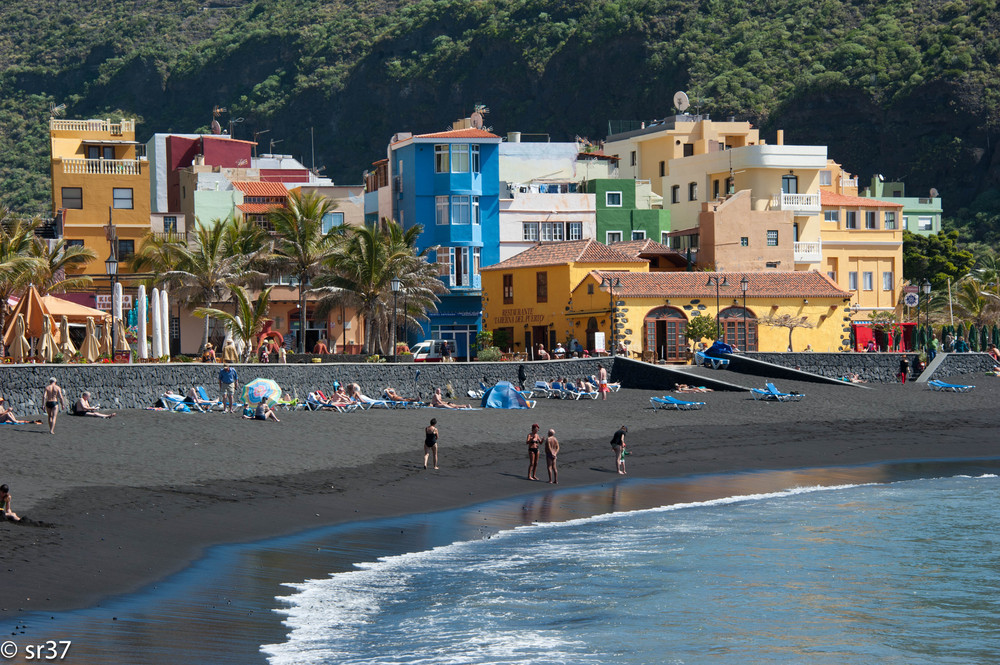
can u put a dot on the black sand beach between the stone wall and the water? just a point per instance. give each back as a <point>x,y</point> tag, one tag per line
<point>130,500</point>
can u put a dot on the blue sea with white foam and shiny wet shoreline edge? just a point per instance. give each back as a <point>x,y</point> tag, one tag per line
<point>885,563</point>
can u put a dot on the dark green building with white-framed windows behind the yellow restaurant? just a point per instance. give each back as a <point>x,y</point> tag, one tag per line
<point>625,210</point>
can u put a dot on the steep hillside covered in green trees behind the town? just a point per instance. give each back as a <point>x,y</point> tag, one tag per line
<point>905,88</point>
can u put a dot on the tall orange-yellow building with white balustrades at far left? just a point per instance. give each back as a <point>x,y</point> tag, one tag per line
<point>99,178</point>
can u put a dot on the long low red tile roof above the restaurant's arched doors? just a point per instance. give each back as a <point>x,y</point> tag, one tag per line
<point>783,284</point>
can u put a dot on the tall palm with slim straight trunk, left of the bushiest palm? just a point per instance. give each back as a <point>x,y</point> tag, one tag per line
<point>301,248</point>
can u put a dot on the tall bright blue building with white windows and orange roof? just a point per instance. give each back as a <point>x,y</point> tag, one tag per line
<point>449,182</point>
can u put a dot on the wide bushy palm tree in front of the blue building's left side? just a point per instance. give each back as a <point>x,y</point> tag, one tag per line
<point>362,269</point>
